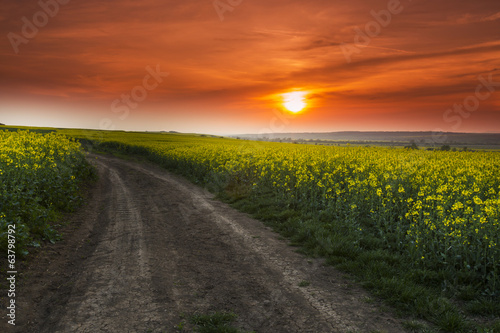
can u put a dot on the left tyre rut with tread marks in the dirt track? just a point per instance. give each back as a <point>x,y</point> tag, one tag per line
<point>116,295</point>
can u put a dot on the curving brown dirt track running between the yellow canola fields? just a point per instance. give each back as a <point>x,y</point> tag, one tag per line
<point>149,246</point>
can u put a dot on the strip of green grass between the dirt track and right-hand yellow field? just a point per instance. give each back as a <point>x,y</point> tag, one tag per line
<point>415,293</point>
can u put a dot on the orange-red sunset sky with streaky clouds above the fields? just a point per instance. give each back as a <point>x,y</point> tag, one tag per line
<point>229,66</point>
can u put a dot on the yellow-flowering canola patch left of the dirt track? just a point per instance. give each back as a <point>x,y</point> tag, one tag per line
<point>40,176</point>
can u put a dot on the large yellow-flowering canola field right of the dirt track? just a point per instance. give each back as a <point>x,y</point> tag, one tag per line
<point>438,209</point>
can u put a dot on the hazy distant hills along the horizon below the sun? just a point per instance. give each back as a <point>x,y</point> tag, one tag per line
<point>385,138</point>
